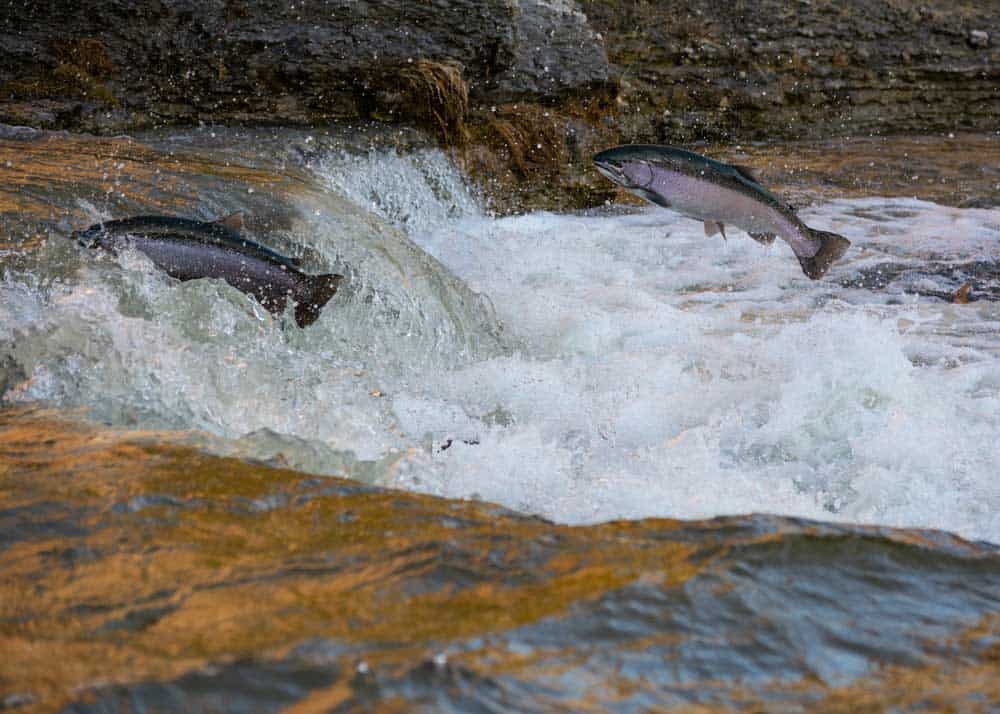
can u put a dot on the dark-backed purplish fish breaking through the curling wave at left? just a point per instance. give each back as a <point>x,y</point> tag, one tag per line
<point>188,250</point>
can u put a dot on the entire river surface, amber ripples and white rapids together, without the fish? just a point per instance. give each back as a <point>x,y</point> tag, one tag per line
<point>594,368</point>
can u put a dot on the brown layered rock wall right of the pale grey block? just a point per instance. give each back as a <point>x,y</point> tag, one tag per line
<point>757,69</point>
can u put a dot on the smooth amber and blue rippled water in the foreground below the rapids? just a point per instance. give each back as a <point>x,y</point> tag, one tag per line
<point>143,576</point>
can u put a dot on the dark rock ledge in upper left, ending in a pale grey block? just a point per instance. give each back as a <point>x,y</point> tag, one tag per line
<point>119,63</point>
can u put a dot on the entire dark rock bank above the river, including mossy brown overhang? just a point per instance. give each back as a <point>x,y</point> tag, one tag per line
<point>529,88</point>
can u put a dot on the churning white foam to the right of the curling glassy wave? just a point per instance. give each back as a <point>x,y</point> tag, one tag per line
<point>669,374</point>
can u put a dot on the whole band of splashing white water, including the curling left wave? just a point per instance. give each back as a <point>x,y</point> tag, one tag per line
<point>643,369</point>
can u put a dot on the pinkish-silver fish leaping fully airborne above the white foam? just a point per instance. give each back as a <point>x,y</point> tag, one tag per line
<point>718,194</point>
